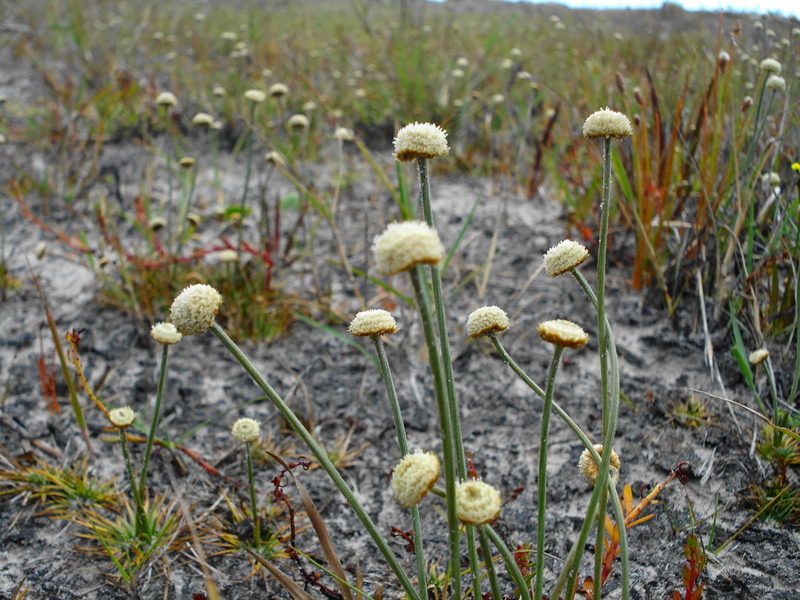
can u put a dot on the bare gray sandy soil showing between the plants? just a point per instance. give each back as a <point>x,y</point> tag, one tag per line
<point>336,388</point>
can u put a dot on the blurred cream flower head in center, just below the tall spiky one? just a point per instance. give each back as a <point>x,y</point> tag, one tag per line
<point>403,245</point>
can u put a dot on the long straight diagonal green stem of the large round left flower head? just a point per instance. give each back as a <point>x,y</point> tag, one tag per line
<point>322,458</point>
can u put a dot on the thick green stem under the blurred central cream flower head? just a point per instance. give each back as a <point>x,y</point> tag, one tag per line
<point>417,274</point>
